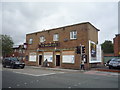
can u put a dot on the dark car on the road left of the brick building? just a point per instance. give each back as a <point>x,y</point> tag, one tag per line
<point>13,62</point>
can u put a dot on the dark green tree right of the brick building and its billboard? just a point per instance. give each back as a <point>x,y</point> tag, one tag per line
<point>107,47</point>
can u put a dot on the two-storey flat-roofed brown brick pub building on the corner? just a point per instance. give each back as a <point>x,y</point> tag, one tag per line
<point>63,47</point>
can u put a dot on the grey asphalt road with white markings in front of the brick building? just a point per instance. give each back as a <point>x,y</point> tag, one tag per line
<point>40,78</point>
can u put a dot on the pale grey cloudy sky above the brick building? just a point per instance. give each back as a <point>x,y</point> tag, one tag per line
<point>20,18</point>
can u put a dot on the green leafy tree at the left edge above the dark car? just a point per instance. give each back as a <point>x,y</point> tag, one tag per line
<point>7,44</point>
